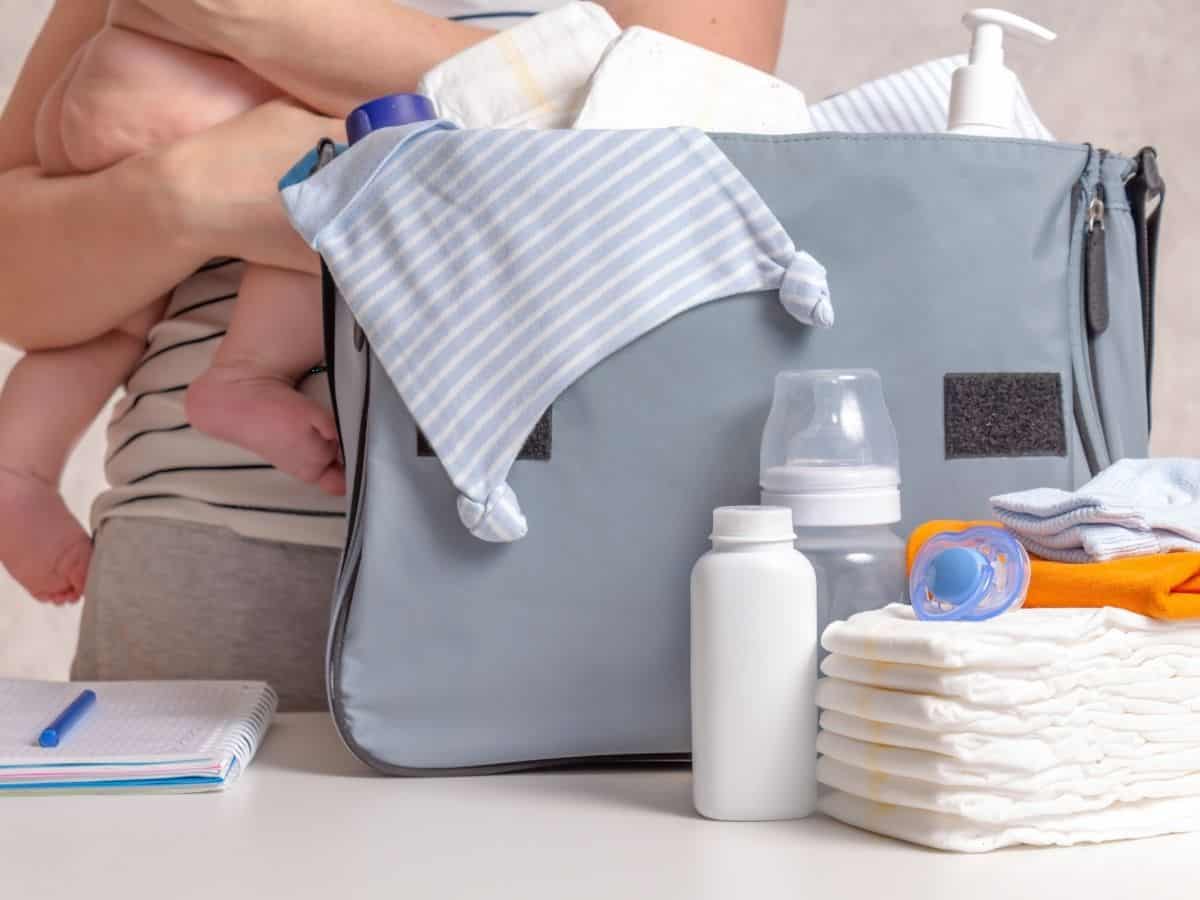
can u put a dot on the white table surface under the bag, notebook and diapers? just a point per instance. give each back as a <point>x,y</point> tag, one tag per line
<point>308,820</point>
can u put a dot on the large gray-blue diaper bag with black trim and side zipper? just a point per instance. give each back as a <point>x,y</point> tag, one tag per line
<point>1003,289</point>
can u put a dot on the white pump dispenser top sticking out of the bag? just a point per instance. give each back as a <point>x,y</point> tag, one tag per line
<point>983,94</point>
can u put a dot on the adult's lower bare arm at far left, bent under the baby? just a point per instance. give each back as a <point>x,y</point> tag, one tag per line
<point>81,254</point>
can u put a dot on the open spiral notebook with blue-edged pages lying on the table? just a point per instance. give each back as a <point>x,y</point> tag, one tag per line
<point>140,736</point>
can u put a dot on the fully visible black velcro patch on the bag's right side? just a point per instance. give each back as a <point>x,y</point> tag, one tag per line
<point>1004,415</point>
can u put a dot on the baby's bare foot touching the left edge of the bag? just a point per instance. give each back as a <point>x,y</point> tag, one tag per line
<point>272,419</point>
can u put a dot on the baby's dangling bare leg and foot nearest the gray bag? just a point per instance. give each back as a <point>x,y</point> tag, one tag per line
<point>249,397</point>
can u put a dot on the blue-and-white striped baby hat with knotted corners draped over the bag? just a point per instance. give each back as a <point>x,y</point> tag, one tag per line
<point>491,269</point>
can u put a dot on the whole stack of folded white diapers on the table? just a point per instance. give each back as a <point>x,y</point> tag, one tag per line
<point>1040,727</point>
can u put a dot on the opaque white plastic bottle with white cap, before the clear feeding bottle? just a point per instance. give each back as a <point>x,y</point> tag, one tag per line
<point>754,668</point>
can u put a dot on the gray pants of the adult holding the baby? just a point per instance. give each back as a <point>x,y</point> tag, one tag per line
<point>172,599</point>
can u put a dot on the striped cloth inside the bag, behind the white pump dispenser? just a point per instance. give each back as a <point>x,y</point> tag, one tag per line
<point>914,101</point>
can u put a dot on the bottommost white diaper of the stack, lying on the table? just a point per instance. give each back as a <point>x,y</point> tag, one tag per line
<point>941,831</point>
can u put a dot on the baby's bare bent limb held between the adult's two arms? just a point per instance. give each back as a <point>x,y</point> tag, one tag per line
<point>128,93</point>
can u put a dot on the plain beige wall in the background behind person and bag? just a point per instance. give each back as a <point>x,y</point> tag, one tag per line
<point>1125,74</point>
